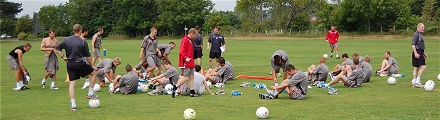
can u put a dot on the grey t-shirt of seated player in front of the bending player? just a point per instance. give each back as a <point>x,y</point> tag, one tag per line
<point>299,80</point>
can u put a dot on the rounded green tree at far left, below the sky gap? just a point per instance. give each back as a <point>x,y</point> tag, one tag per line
<point>24,24</point>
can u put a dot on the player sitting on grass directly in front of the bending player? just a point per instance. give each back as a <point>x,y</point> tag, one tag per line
<point>295,85</point>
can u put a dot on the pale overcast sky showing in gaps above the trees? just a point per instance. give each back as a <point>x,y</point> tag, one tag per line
<point>31,6</point>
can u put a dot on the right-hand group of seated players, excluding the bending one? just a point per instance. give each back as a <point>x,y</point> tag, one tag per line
<point>352,73</point>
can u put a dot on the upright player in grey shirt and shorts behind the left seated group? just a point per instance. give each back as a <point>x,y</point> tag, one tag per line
<point>149,50</point>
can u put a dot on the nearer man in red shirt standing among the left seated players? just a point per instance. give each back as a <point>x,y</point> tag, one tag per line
<point>186,62</point>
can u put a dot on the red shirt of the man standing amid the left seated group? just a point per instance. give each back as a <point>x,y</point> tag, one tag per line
<point>186,51</point>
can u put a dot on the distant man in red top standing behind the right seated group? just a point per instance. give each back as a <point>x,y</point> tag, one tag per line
<point>332,37</point>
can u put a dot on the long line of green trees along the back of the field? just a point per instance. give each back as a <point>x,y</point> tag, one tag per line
<point>136,17</point>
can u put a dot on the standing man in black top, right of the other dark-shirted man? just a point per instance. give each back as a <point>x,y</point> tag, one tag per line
<point>216,45</point>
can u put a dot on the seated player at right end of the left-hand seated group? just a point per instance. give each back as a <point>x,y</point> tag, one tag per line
<point>219,75</point>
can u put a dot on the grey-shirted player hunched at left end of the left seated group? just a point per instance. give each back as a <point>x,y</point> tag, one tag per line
<point>106,68</point>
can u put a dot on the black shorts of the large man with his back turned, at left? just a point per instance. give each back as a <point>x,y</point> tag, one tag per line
<point>77,70</point>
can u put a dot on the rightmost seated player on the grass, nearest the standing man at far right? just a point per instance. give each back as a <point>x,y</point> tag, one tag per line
<point>389,65</point>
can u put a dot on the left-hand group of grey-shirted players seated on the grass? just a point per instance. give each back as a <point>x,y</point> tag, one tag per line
<point>136,76</point>
